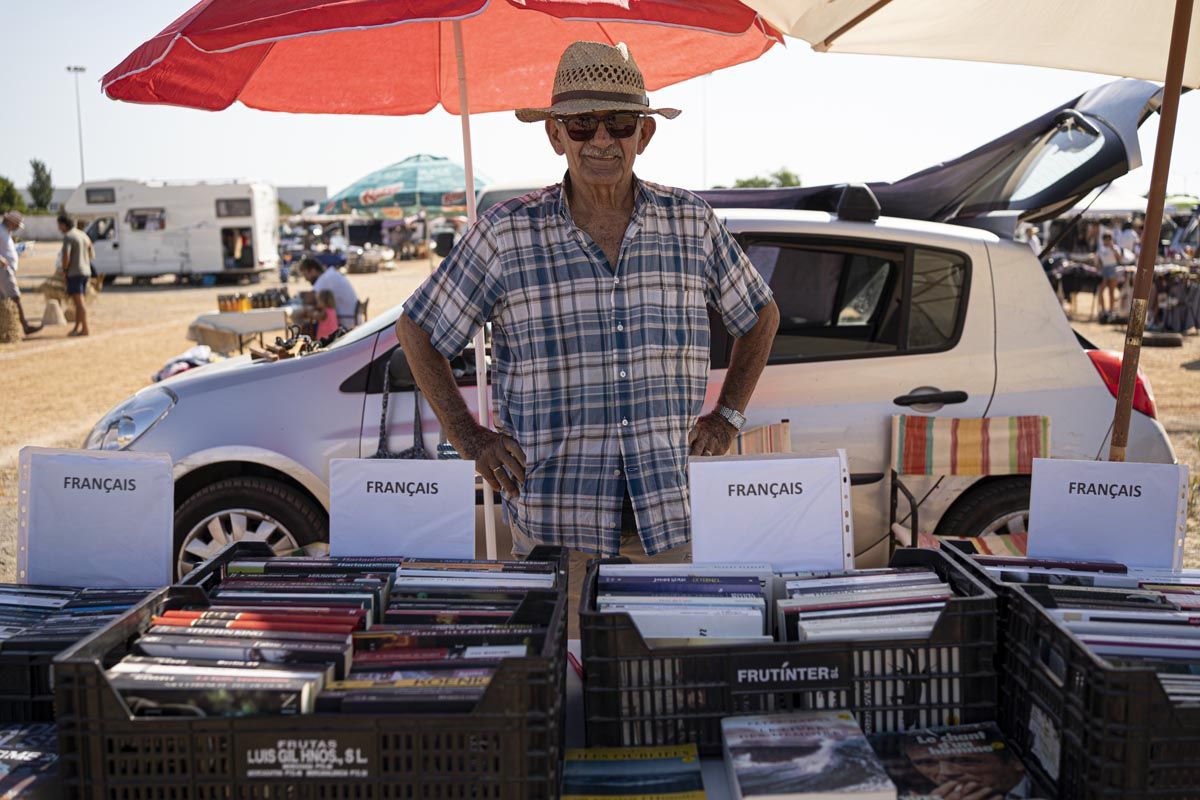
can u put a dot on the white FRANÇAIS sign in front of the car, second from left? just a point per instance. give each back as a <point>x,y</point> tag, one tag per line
<point>397,507</point>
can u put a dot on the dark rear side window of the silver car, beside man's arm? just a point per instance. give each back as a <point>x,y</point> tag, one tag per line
<point>842,300</point>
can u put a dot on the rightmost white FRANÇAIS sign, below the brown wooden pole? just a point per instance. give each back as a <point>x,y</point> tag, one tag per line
<point>1109,512</point>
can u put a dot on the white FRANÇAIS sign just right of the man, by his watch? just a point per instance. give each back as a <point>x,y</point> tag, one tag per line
<point>785,510</point>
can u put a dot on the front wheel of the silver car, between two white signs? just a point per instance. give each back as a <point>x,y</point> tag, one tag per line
<point>247,509</point>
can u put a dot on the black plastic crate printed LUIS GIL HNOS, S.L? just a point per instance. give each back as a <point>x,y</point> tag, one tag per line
<point>509,748</point>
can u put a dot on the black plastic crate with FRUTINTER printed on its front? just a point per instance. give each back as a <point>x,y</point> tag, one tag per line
<point>637,695</point>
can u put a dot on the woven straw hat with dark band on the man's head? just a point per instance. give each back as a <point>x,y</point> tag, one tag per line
<point>597,77</point>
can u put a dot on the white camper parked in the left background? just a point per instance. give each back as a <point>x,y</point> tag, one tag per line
<point>151,228</point>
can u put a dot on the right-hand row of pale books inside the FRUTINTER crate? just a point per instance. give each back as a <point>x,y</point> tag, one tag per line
<point>887,604</point>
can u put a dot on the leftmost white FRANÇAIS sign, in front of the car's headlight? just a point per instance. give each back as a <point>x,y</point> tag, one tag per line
<point>95,519</point>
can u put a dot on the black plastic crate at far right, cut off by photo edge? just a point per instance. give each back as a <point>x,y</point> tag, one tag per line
<point>1089,729</point>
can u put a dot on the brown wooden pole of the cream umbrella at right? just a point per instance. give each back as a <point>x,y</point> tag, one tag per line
<point>1145,275</point>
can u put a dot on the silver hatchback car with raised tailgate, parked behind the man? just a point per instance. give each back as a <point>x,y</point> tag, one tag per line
<point>878,314</point>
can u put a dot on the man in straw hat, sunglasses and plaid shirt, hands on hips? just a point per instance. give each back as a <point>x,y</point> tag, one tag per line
<point>597,292</point>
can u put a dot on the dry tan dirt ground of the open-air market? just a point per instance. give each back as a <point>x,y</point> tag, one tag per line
<point>56,388</point>
